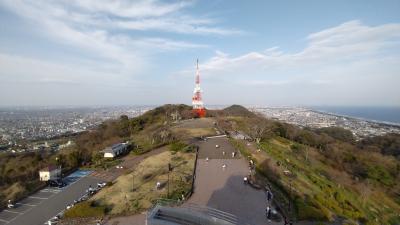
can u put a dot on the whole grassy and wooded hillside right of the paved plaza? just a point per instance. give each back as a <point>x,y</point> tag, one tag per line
<point>325,173</point>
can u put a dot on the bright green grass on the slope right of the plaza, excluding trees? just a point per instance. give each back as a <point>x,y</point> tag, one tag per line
<point>318,196</point>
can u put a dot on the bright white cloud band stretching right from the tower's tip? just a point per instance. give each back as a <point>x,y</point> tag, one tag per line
<point>346,43</point>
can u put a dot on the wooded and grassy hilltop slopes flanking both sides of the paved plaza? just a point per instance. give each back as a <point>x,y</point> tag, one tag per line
<point>323,173</point>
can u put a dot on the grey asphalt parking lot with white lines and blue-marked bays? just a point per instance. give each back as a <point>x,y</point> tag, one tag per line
<point>41,206</point>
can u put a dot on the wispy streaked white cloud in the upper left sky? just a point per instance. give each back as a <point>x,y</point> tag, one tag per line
<point>90,26</point>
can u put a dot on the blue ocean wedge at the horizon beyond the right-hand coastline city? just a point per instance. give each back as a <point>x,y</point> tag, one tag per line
<point>382,114</point>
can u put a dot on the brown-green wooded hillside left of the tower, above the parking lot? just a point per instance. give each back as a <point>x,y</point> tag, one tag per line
<point>19,173</point>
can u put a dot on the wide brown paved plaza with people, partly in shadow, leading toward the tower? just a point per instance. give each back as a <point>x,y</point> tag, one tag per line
<point>223,189</point>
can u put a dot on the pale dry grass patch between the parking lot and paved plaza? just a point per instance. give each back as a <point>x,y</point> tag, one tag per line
<point>135,192</point>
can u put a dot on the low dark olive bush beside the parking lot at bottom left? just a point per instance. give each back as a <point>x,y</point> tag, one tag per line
<point>85,209</point>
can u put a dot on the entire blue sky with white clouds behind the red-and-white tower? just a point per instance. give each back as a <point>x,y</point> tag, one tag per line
<point>270,53</point>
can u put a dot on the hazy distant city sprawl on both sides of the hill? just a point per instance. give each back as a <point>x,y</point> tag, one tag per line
<point>25,129</point>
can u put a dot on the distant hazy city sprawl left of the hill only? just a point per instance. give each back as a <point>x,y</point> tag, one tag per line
<point>32,129</point>
